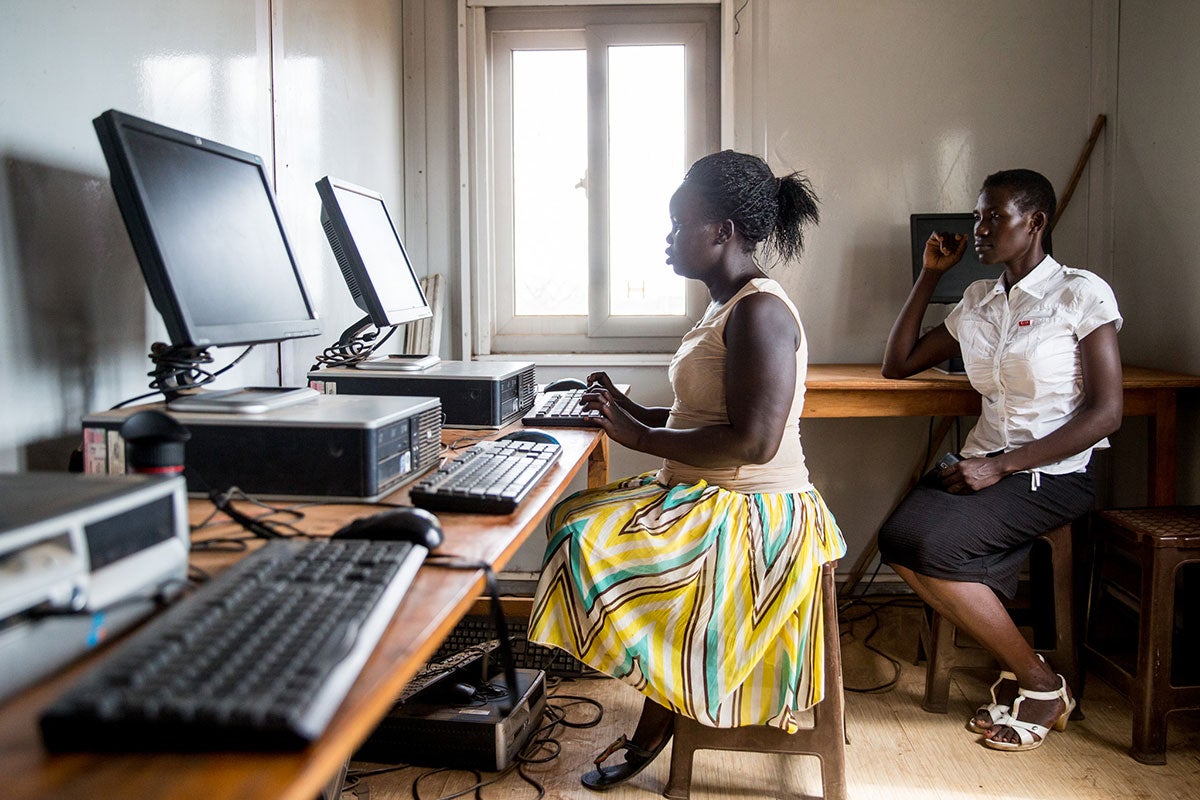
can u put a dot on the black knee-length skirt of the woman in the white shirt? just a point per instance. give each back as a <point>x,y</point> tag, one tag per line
<point>985,537</point>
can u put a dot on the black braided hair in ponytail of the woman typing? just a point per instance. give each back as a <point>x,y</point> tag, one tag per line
<point>741,188</point>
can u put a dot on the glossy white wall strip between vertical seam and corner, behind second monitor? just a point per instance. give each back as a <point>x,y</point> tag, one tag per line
<point>339,112</point>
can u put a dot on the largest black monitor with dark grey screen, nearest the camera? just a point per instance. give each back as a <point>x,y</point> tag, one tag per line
<point>208,237</point>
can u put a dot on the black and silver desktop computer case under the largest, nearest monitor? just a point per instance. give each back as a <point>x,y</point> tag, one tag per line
<point>331,448</point>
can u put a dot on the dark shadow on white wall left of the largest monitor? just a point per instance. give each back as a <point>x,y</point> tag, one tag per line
<point>81,323</point>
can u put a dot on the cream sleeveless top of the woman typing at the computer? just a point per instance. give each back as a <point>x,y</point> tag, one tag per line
<point>698,378</point>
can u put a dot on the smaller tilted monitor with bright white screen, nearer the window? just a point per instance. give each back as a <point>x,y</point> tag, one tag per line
<point>374,263</point>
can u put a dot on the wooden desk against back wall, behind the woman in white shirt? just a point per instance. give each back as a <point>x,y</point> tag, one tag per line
<point>855,390</point>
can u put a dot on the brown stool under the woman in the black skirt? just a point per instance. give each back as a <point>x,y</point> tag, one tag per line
<point>940,637</point>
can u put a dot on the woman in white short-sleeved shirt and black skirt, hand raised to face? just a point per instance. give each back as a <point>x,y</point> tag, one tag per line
<point>1041,347</point>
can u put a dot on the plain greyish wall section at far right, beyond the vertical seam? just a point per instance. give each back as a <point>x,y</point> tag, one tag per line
<point>1157,194</point>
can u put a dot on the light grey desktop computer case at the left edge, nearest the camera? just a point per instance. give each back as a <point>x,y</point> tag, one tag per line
<point>82,558</point>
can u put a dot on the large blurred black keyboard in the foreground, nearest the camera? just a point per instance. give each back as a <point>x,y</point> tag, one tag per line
<point>259,659</point>
